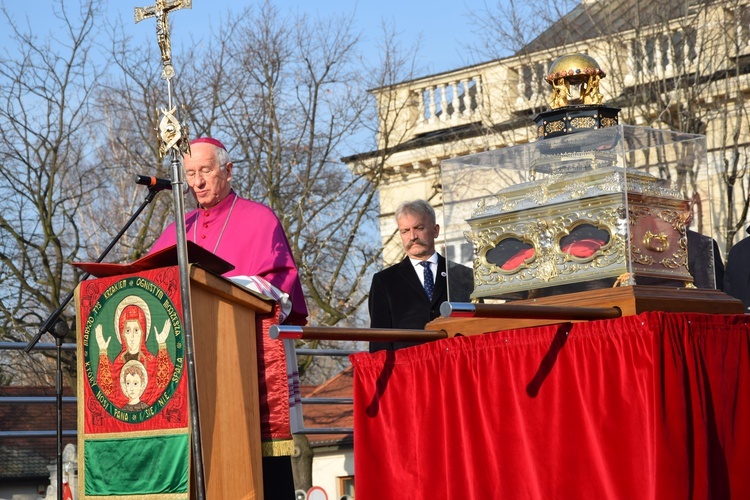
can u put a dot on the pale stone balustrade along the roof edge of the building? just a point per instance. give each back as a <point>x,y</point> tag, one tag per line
<point>505,89</point>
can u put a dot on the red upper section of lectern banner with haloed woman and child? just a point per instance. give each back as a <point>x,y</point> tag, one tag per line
<point>155,301</point>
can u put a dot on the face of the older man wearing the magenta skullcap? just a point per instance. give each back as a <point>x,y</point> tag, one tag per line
<point>207,180</point>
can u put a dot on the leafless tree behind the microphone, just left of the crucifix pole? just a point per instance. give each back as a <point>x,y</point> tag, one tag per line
<point>129,99</point>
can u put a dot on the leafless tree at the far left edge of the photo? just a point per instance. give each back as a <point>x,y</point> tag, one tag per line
<point>47,176</point>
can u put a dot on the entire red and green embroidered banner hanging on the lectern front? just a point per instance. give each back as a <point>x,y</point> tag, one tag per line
<point>133,419</point>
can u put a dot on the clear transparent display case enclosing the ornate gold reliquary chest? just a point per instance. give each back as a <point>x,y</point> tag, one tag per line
<point>615,206</point>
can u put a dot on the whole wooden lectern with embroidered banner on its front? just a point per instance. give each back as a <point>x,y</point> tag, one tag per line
<point>133,401</point>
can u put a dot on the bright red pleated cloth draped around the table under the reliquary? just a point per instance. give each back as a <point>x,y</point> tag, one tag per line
<point>655,406</point>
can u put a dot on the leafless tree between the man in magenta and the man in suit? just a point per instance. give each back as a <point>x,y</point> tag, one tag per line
<point>287,97</point>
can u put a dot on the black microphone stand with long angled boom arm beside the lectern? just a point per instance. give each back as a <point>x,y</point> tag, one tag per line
<point>59,329</point>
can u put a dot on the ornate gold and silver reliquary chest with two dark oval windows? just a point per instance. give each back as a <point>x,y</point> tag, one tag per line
<point>576,227</point>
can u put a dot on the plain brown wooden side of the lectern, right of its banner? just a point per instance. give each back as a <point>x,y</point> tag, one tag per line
<point>224,329</point>
